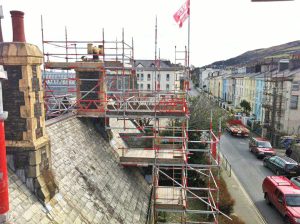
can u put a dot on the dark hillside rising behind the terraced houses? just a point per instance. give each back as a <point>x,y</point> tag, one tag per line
<point>275,52</point>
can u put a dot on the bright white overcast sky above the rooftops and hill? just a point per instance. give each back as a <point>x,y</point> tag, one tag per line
<point>220,29</point>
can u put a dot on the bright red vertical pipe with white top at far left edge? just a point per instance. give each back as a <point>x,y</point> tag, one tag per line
<point>4,203</point>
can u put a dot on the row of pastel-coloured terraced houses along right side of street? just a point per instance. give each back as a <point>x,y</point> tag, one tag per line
<point>273,91</point>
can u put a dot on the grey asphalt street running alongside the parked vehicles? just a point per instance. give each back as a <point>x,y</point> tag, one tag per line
<point>250,172</point>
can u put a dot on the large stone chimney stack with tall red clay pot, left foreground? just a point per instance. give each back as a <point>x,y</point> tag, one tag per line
<point>28,146</point>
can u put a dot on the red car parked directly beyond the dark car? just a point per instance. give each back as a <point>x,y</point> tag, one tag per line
<point>261,147</point>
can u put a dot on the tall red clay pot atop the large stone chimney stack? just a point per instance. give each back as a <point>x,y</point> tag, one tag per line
<point>18,26</point>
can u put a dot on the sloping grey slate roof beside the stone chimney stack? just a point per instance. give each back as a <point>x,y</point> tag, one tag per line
<point>93,188</point>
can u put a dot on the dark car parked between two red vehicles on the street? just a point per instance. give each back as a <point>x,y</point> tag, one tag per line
<point>282,166</point>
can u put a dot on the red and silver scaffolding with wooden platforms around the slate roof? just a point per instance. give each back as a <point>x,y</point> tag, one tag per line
<point>105,85</point>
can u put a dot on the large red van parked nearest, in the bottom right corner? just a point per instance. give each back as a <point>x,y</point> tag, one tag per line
<point>285,196</point>
